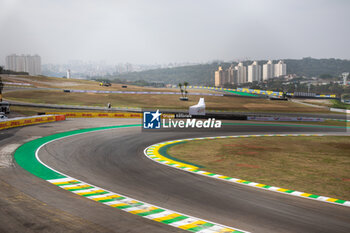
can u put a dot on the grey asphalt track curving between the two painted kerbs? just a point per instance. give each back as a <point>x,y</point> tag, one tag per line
<point>114,160</point>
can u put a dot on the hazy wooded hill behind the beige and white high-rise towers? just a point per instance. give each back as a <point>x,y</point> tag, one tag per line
<point>204,74</point>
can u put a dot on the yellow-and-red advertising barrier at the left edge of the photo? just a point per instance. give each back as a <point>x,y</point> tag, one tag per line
<point>23,121</point>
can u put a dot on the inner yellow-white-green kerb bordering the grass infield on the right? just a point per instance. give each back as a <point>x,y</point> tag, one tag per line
<point>154,152</point>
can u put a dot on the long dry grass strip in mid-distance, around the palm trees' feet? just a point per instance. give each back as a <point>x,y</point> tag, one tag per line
<point>158,101</point>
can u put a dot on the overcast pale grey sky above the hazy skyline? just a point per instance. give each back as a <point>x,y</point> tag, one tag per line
<point>162,31</point>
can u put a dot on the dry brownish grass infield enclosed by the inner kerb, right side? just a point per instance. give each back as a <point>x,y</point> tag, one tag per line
<point>317,165</point>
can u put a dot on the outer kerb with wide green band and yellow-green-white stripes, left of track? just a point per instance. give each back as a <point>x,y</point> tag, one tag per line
<point>27,157</point>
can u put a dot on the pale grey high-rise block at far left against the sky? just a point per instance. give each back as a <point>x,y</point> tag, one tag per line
<point>24,63</point>
